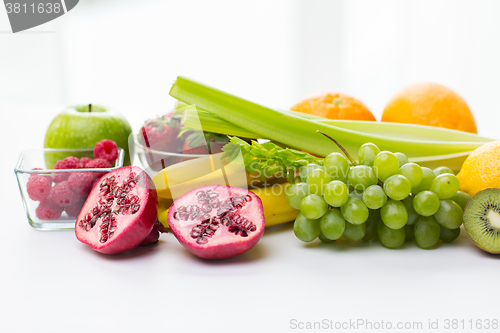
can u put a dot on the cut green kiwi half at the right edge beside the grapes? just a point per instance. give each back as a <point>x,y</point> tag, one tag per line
<point>482,219</point>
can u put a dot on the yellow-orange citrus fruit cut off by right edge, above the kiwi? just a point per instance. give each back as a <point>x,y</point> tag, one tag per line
<point>481,169</point>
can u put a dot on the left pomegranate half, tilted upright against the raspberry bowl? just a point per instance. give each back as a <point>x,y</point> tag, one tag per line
<point>120,211</point>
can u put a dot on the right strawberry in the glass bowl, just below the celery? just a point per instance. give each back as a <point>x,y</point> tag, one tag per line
<point>199,143</point>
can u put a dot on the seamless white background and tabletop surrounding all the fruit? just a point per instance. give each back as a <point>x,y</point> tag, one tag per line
<point>127,53</point>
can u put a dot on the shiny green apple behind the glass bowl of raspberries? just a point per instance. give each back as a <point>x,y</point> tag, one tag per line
<point>83,126</point>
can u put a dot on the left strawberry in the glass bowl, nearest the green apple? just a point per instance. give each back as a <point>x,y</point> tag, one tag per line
<point>161,133</point>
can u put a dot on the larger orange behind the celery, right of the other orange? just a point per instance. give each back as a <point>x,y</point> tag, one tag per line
<point>430,104</point>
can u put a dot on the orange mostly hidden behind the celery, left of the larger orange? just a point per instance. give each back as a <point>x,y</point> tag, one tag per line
<point>334,106</point>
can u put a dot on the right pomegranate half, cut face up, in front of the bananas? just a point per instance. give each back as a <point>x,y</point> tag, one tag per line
<point>216,221</point>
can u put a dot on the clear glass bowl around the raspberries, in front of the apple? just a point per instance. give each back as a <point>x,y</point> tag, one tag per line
<point>39,158</point>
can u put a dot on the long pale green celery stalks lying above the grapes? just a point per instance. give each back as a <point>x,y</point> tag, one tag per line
<point>298,132</point>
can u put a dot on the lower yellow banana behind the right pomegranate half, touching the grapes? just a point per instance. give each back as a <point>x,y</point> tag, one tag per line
<point>276,208</point>
